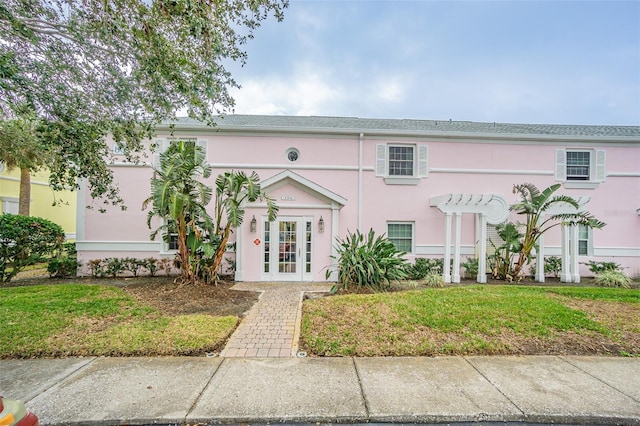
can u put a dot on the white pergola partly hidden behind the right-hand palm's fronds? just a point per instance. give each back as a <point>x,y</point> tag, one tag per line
<point>569,245</point>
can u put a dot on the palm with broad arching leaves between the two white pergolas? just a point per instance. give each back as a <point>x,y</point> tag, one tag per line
<point>534,204</point>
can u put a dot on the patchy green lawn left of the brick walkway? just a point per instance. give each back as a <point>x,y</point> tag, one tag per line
<point>75,319</point>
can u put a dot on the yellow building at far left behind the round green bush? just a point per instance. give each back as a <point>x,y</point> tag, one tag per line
<point>42,199</point>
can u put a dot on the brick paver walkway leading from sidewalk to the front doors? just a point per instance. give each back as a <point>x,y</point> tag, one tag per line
<point>272,326</point>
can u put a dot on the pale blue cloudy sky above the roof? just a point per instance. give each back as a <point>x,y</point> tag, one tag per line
<point>552,62</point>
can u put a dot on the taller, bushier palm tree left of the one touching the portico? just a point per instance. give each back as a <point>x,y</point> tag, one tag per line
<point>180,199</point>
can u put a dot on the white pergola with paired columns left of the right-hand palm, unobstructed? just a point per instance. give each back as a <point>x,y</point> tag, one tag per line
<point>488,208</point>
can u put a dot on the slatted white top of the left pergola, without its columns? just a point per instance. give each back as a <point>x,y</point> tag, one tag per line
<point>494,206</point>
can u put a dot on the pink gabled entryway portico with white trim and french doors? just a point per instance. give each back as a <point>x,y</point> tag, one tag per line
<point>298,245</point>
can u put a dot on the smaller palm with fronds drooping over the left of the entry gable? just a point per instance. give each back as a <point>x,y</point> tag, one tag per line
<point>233,190</point>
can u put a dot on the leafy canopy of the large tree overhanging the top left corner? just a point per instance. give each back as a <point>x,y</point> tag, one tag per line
<point>90,68</point>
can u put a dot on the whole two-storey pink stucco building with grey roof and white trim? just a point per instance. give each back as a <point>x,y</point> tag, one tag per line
<point>436,188</point>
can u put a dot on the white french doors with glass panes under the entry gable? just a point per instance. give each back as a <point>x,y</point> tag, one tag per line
<point>287,249</point>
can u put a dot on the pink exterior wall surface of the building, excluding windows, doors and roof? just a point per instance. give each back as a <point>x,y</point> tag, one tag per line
<point>469,165</point>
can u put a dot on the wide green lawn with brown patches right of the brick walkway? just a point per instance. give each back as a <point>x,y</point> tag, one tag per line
<point>475,320</point>
